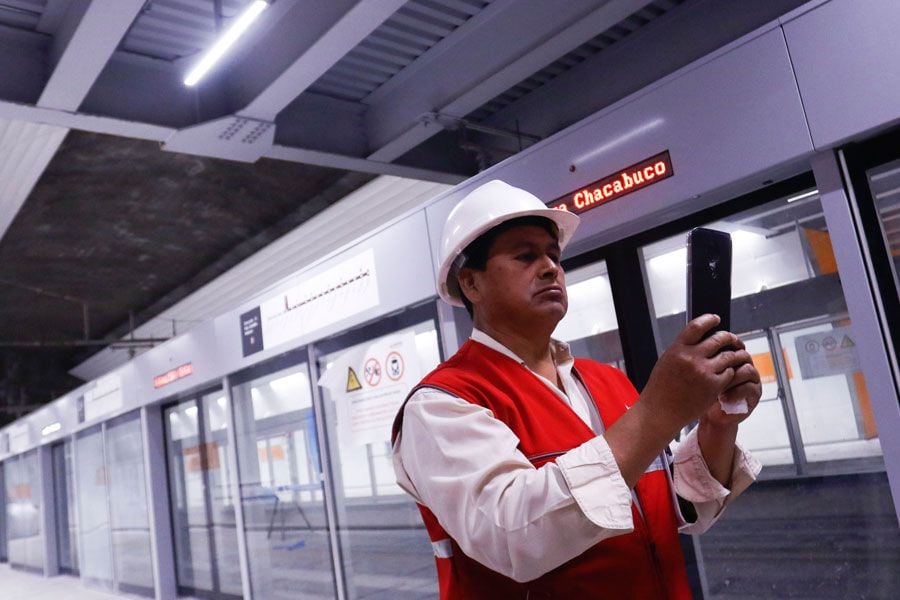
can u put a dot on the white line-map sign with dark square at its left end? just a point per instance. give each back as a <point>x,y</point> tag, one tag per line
<point>343,290</point>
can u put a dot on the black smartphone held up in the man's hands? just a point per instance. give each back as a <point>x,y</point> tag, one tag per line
<point>709,276</point>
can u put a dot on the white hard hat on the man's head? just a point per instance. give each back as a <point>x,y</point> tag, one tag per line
<point>482,209</point>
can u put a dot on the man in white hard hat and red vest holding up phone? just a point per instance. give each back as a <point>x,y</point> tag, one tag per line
<point>543,476</point>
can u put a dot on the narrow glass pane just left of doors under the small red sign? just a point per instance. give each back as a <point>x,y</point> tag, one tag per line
<point>128,505</point>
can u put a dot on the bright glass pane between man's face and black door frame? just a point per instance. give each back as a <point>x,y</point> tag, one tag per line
<point>590,325</point>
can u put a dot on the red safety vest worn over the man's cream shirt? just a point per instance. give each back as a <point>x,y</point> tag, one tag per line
<point>644,564</point>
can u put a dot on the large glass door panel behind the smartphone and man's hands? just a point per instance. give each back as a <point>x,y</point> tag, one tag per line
<point>823,537</point>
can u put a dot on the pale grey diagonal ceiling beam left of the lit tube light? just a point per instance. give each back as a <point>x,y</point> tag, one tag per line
<point>84,43</point>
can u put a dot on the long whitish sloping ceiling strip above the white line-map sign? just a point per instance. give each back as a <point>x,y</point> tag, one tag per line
<point>386,198</point>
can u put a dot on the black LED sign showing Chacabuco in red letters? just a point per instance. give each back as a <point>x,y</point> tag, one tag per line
<point>612,187</point>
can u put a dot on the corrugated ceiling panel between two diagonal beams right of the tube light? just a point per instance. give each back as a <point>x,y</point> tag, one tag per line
<point>397,43</point>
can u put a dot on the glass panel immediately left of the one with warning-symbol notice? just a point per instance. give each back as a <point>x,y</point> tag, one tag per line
<point>281,487</point>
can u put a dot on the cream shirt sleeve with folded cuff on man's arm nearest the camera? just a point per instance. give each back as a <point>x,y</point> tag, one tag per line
<point>456,458</point>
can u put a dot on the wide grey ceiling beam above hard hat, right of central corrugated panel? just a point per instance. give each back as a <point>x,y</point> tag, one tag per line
<point>490,58</point>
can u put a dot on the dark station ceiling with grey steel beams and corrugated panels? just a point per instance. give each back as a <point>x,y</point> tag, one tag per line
<point>123,190</point>
